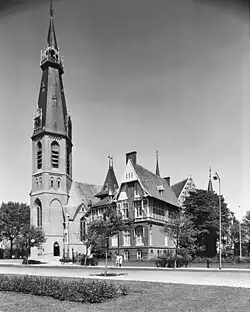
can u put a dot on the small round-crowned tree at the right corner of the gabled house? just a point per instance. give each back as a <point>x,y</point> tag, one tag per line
<point>181,231</point>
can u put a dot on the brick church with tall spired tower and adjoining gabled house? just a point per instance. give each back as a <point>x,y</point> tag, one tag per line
<point>59,204</point>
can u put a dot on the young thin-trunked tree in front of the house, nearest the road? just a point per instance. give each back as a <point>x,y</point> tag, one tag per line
<point>104,228</point>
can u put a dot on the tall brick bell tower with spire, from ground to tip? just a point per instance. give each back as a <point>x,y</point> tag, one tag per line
<point>51,149</point>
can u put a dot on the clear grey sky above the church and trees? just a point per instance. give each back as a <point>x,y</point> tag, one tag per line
<point>166,75</point>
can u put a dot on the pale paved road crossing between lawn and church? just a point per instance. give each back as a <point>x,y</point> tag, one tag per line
<point>231,279</point>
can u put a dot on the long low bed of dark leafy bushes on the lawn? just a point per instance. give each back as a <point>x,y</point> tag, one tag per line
<point>79,291</point>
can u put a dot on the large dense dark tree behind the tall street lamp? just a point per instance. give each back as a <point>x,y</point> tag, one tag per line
<point>202,208</point>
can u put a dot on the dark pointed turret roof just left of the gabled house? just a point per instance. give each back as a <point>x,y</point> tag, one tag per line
<point>110,184</point>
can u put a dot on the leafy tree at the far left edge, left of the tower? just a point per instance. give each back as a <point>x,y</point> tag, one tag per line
<point>13,216</point>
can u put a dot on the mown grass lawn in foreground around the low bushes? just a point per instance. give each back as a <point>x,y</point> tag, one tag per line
<point>143,296</point>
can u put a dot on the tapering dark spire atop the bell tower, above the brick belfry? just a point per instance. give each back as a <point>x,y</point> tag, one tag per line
<point>52,116</point>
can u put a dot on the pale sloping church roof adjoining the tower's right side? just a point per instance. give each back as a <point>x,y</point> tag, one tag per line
<point>81,194</point>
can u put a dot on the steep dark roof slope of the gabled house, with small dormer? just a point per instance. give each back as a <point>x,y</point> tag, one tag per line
<point>150,183</point>
